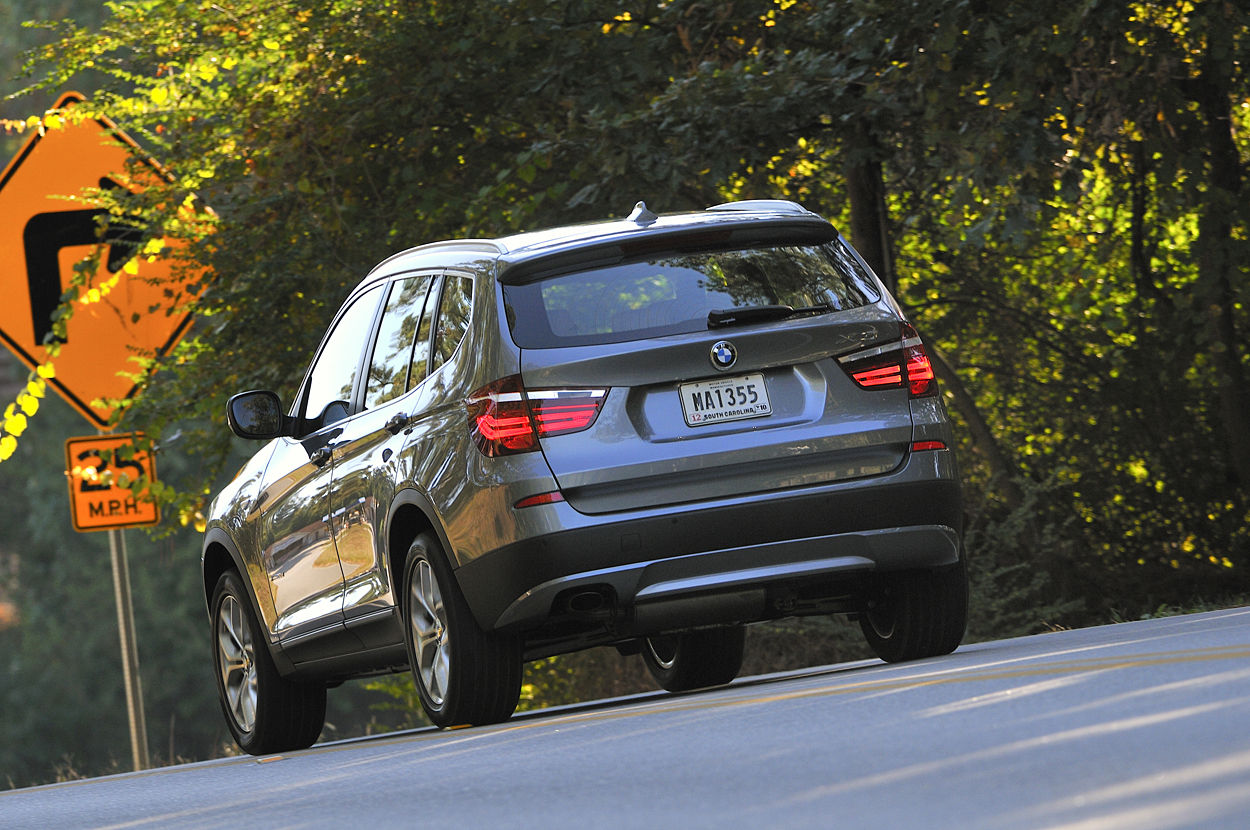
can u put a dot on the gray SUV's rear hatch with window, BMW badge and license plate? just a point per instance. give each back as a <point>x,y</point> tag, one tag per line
<point>719,373</point>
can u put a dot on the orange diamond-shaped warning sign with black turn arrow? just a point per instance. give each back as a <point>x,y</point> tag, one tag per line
<point>43,236</point>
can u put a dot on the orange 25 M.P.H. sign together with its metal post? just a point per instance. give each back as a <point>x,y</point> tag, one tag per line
<point>97,503</point>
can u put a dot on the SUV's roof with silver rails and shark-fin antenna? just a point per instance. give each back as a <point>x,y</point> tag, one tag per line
<point>642,223</point>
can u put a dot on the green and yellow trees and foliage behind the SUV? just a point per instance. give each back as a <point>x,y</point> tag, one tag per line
<point>1057,193</point>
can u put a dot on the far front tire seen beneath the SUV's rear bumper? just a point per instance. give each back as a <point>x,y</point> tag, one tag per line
<point>696,659</point>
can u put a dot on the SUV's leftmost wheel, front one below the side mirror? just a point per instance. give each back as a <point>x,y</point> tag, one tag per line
<point>266,712</point>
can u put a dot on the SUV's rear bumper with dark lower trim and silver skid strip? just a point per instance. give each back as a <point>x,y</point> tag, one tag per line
<point>908,519</point>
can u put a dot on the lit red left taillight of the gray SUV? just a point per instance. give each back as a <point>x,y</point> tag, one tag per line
<point>506,418</point>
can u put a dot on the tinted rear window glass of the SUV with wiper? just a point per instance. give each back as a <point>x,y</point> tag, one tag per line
<point>673,294</point>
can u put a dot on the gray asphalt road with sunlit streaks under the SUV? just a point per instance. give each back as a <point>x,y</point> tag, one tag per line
<point>1143,726</point>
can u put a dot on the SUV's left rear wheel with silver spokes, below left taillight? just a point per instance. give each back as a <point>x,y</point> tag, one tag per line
<point>464,677</point>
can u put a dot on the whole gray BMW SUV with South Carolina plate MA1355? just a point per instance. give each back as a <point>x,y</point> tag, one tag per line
<point>644,433</point>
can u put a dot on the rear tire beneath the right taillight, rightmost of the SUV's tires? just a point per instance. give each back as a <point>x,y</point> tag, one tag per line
<point>918,614</point>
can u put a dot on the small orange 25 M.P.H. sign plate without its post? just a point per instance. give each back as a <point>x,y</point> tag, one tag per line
<point>96,501</point>
